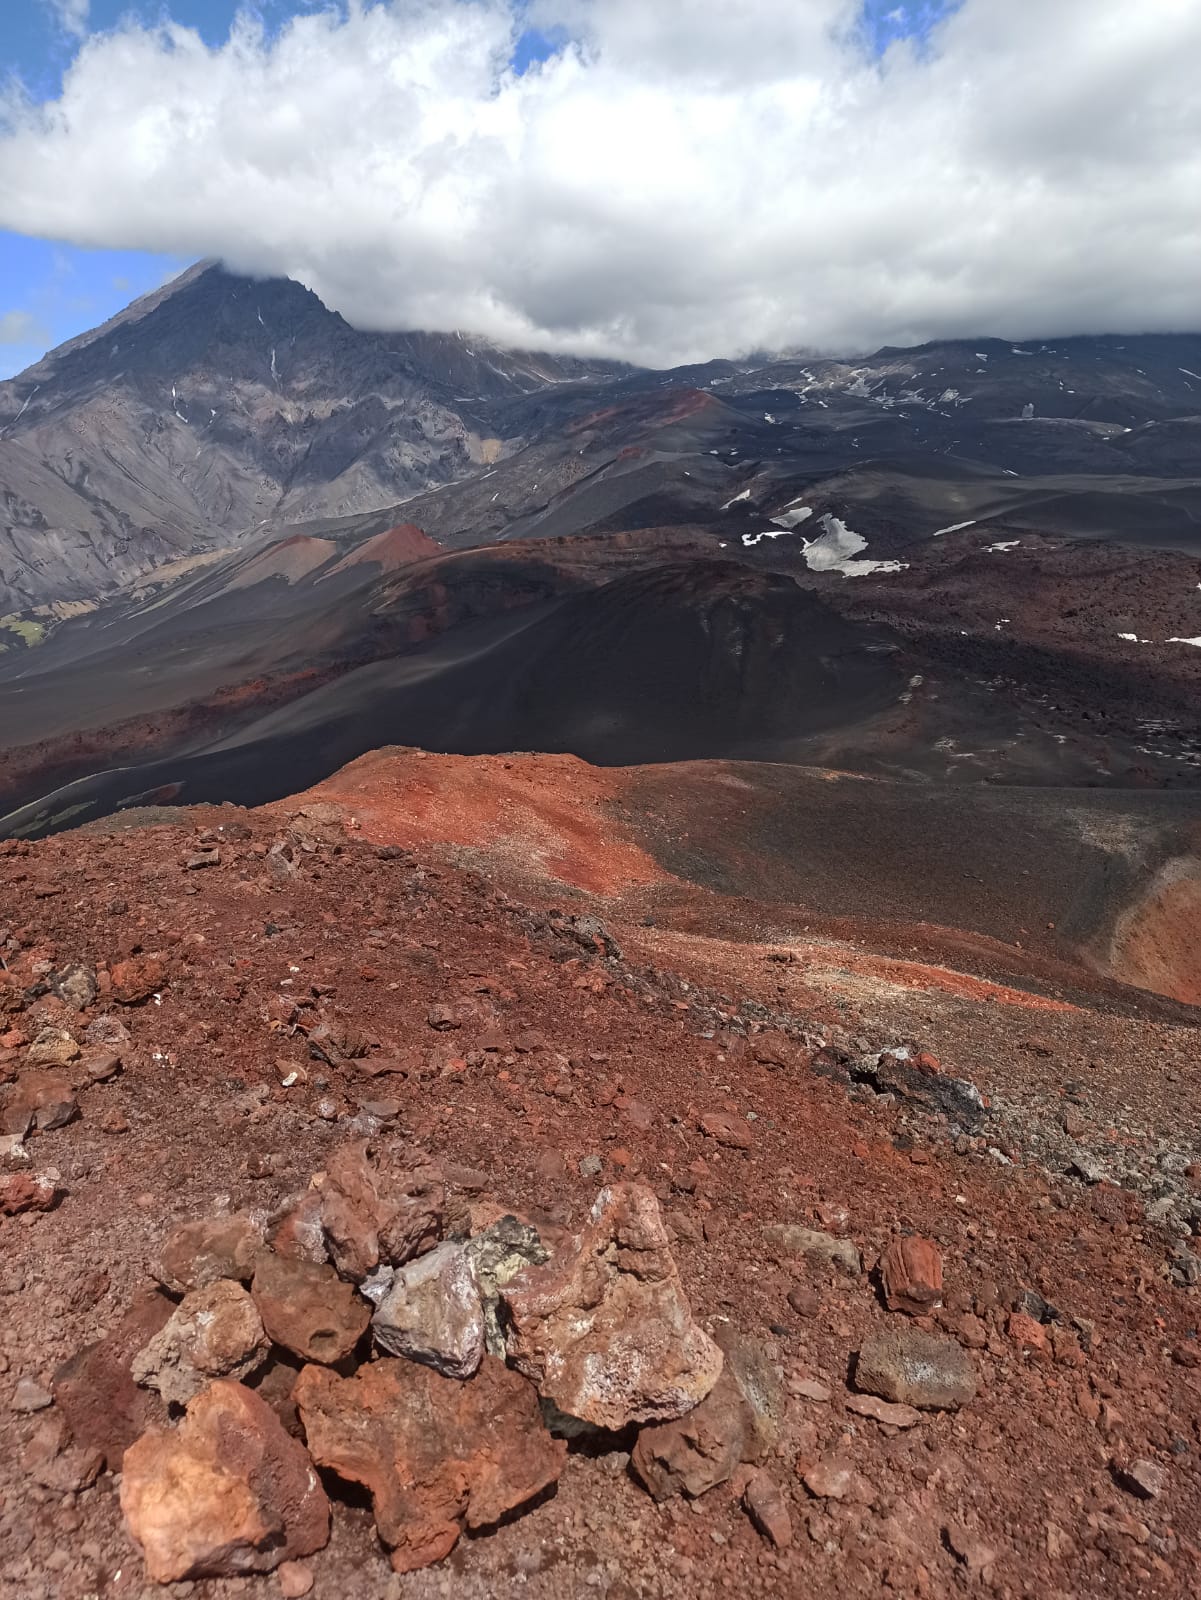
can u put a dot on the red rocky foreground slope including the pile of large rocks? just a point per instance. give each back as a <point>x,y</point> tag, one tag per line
<point>920,1247</point>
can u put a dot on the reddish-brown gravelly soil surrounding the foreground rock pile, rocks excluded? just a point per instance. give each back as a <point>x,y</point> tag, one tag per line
<point>1064,1295</point>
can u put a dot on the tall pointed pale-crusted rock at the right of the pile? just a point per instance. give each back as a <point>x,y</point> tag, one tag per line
<point>605,1330</point>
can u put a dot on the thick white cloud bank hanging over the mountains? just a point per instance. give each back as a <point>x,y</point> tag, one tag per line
<point>680,180</point>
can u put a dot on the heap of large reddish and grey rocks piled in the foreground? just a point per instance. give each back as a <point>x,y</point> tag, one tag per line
<point>489,1348</point>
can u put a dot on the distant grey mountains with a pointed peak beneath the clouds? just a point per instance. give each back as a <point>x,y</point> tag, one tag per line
<point>221,410</point>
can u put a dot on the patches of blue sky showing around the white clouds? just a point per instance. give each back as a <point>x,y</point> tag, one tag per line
<point>52,292</point>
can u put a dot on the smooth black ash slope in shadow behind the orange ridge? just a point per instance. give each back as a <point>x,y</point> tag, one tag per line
<point>685,662</point>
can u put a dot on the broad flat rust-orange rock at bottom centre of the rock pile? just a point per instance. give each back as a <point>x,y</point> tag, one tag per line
<point>433,1452</point>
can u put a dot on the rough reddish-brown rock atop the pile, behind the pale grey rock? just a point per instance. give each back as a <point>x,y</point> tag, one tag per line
<point>380,1204</point>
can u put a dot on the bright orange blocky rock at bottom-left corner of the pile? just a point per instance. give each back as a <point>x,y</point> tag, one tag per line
<point>223,1495</point>
